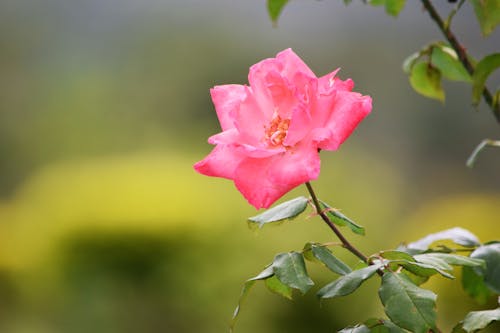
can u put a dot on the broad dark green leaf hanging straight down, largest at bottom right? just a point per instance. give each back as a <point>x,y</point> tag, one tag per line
<point>407,305</point>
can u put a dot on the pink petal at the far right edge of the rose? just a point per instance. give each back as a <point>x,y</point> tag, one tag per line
<point>348,110</point>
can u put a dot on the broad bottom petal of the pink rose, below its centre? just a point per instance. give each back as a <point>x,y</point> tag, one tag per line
<point>263,181</point>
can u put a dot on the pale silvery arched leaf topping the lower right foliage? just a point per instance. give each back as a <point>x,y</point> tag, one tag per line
<point>458,235</point>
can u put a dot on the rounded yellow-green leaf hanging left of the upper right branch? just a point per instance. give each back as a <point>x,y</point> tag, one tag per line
<point>426,80</point>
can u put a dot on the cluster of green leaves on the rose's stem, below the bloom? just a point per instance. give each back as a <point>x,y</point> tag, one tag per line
<point>403,270</point>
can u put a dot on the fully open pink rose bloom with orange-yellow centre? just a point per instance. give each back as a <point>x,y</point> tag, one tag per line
<point>272,130</point>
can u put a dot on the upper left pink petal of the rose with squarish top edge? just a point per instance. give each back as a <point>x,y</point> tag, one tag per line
<point>227,100</point>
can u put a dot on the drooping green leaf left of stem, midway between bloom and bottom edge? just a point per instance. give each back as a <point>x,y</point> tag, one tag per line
<point>290,269</point>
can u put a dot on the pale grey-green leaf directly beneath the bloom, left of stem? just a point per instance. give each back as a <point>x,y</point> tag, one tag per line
<point>285,211</point>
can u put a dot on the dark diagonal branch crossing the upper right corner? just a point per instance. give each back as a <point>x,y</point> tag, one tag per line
<point>462,54</point>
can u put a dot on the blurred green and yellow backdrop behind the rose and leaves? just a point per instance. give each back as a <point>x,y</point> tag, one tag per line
<point>104,107</point>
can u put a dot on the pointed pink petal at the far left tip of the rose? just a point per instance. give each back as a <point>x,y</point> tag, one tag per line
<point>221,162</point>
